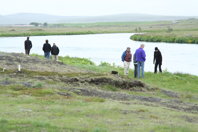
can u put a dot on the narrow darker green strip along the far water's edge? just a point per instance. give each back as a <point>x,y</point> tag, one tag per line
<point>146,37</point>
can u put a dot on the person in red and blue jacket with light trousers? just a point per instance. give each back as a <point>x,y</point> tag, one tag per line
<point>126,58</point>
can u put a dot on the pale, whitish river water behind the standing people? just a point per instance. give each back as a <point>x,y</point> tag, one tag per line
<point>181,58</point>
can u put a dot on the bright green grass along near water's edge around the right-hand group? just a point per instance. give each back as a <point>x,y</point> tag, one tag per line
<point>177,82</point>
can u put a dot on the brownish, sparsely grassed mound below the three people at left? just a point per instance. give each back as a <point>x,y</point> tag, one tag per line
<point>11,61</point>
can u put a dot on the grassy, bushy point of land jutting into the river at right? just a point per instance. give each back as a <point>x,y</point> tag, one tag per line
<point>181,31</point>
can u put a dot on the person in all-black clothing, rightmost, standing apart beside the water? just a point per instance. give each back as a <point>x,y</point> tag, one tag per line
<point>157,60</point>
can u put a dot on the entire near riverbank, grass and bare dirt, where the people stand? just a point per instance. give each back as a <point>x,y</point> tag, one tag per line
<point>76,95</point>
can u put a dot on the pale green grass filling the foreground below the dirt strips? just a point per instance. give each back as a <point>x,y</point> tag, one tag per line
<point>55,113</point>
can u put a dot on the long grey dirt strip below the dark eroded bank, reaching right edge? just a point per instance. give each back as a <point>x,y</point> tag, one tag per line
<point>173,104</point>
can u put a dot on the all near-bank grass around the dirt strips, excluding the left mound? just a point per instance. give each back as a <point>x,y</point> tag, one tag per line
<point>36,106</point>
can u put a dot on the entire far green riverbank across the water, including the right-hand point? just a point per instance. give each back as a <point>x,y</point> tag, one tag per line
<point>181,31</point>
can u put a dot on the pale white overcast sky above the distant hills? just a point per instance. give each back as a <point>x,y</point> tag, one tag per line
<point>100,7</point>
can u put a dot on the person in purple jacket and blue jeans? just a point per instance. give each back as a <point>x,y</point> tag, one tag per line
<point>140,58</point>
